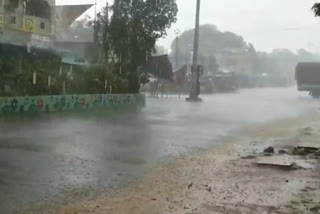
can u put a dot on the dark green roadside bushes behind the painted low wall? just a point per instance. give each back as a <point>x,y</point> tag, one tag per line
<point>17,68</point>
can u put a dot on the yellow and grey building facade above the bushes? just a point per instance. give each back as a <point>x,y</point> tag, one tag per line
<point>27,22</point>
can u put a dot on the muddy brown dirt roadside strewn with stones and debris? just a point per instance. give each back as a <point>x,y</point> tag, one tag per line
<point>228,180</point>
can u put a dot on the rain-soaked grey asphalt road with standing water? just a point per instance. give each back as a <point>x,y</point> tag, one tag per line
<point>49,156</point>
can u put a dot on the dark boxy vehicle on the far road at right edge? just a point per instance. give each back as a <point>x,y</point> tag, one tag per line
<point>308,78</point>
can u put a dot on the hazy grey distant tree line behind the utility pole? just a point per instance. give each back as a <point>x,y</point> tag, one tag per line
<point>229,52</point>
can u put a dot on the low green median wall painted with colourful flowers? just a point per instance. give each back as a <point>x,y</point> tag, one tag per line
<point>68,103</point>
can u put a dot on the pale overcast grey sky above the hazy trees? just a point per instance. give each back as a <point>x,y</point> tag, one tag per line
<point>267,24</point>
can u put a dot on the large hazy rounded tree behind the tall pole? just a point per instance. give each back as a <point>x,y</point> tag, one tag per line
<point>215,47</point>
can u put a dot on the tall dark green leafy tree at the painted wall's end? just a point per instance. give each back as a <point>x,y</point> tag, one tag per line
<point>130,35</point>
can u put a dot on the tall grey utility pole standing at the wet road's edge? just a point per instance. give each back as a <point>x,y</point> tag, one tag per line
<point>195,84</point>
